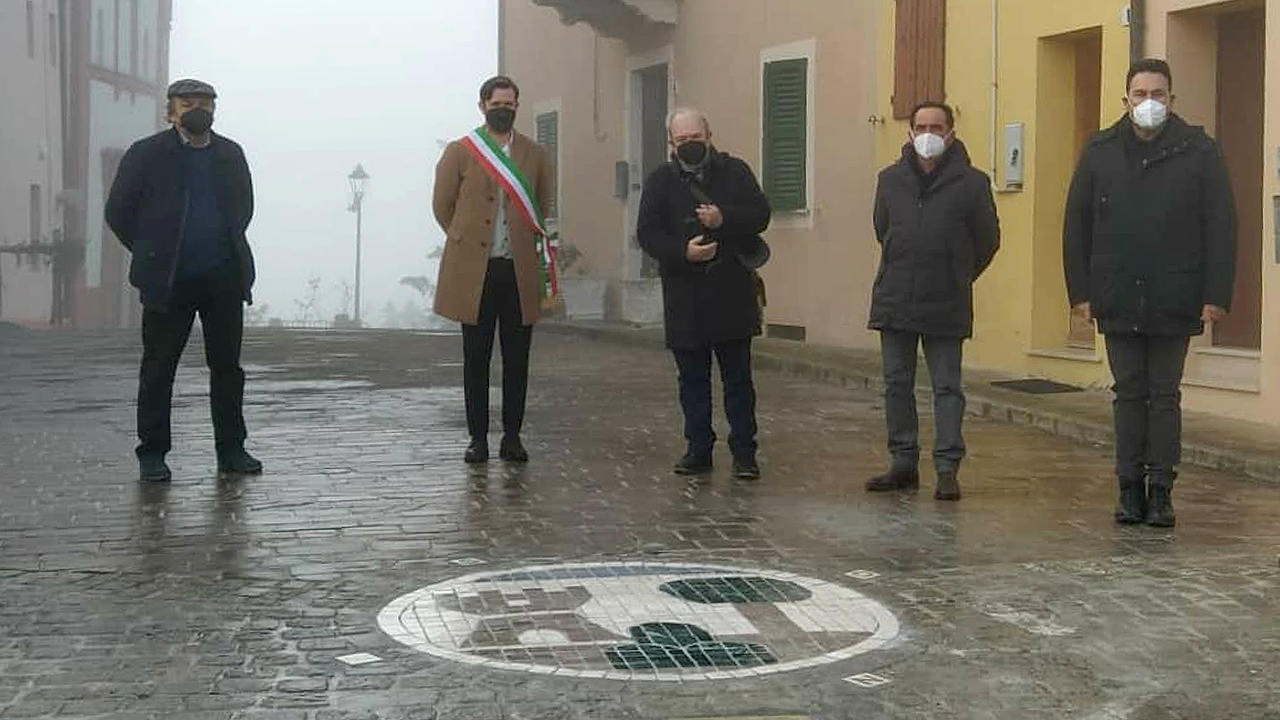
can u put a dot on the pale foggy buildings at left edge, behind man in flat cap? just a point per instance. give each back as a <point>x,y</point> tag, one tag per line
<point>81,80</point>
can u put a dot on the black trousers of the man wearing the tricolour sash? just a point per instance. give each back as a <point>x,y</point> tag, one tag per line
<point>500,311</point>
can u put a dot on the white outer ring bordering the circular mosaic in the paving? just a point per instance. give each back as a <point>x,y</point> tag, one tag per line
<point>888,627</point>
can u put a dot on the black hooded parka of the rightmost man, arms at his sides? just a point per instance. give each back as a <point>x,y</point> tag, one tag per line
<point>1150,230</point>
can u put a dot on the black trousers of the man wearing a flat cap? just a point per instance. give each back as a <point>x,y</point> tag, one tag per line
<point>217,299</point>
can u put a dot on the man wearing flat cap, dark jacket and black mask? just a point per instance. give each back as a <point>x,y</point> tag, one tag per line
<point>181,203</point>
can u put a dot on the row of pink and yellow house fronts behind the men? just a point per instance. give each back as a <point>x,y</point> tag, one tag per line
<point>1031,83</point>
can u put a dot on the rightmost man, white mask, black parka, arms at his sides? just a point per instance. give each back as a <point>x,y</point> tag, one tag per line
<point>1149,249</point>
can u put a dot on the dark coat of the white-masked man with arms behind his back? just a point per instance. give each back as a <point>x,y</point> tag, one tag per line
<point>938,235</point>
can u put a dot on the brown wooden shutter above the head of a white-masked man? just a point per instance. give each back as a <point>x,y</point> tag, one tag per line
<point>920,54</point>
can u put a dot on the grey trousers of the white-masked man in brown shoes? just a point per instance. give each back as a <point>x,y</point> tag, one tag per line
<point>944,357</point>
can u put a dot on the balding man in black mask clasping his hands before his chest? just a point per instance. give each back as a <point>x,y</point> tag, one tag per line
<point>700,215</point>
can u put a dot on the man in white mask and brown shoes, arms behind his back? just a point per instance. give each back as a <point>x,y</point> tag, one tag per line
<point>936,224</point>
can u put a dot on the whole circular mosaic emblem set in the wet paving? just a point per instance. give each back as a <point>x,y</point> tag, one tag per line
<point>641,621</point>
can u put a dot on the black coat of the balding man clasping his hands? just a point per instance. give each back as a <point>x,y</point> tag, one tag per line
<point>715,302</point>
